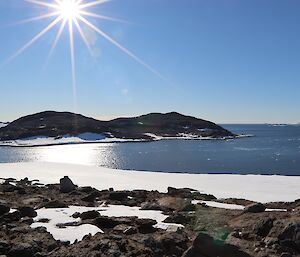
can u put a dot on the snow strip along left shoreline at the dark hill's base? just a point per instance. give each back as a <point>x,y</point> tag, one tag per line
<point>67,139</point>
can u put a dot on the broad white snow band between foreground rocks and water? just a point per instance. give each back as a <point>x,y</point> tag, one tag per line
<point>252,187</point>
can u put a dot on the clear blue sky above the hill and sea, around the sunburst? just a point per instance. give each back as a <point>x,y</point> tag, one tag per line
<point>229,61</point>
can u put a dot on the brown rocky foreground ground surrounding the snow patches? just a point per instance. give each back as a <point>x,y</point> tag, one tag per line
<point>207,231</point>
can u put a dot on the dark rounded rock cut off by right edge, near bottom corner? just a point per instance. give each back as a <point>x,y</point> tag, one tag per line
<point>290,236</point>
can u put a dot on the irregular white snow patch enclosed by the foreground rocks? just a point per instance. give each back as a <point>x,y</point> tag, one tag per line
<point>72,233</point>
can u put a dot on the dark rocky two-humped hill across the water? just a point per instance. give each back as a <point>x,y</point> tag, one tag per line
<point>57,124</point>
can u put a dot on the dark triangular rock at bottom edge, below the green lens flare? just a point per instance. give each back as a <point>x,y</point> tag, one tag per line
<point>204,245</point>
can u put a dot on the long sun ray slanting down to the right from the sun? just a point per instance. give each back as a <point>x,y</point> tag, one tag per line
<point>125,50</point>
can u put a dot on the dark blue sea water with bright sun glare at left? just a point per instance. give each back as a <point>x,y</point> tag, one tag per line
<point>273,150</point>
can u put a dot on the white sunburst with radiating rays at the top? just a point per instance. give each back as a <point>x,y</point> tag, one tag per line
<point>71,15</point>
